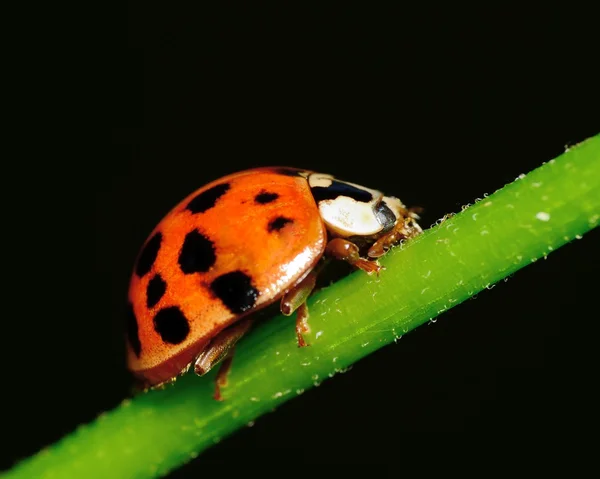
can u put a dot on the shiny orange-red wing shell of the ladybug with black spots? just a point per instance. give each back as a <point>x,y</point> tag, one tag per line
<point>227,250</point>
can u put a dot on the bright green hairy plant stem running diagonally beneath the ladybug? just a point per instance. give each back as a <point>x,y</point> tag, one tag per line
<point>524,221</point>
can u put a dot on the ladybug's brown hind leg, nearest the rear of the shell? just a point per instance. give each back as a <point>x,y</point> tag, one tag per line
<point>221,348</point>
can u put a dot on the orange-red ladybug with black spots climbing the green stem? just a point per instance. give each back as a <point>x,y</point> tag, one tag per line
<point>237,245</point>
